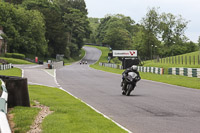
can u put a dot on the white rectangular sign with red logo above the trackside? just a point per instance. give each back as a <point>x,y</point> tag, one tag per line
<point>125,53</point>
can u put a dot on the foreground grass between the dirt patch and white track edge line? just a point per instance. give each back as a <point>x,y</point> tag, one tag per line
<point>70,114</point>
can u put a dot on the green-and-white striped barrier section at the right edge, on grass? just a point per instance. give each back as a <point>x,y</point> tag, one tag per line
<point>189,72</point>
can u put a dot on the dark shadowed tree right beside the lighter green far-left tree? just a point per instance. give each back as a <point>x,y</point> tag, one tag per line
<point>55,29</point>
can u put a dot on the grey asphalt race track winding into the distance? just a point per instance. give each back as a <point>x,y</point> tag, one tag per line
<point>152,107</point>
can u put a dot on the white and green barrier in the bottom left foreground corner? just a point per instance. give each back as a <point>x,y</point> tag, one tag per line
<point>4,126</point>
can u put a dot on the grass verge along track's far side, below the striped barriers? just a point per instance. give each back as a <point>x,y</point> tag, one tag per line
<point>169,79</point>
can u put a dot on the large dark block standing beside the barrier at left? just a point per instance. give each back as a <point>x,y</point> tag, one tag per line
<point>17,88</point>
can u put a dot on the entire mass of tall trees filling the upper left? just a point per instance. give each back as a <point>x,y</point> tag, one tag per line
<point>44,27</point>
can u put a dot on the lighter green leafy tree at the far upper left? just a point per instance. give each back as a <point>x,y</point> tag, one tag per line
<point>24,29</point>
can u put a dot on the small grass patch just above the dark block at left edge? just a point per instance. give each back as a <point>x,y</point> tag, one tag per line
<point>11,72</point>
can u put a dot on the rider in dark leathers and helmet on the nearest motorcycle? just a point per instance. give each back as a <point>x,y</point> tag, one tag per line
<point>125,73</point>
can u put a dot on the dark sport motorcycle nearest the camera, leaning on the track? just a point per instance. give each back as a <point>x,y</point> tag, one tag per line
<point>129,83</point>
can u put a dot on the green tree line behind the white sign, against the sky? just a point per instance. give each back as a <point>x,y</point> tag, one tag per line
<point>157,34</point>
